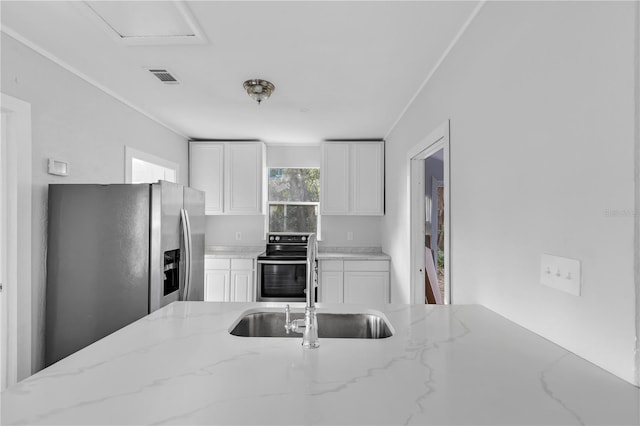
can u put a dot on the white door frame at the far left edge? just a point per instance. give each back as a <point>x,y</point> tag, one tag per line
<point>16,175</point>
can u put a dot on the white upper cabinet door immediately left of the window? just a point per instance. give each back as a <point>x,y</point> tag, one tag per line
<point>244,178</point>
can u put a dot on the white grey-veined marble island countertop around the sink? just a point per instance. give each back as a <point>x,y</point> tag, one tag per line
<point>458,364</point>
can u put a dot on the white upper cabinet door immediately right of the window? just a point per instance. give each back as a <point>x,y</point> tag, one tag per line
<point>334,178</point>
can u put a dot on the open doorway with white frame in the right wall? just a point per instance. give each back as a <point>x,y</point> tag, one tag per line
<point>430,213</point>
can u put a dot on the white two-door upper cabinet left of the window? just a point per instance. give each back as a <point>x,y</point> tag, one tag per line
<point>230,174</point>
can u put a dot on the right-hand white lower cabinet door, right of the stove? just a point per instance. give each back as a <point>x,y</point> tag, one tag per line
<point>369,288</point>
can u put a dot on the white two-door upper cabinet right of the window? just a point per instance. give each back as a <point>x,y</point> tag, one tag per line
<point>352,178</point>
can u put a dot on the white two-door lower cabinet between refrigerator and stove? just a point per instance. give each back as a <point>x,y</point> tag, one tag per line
<point>229,280</point>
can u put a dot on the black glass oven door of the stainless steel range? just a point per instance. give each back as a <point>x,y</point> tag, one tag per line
<point>282,280</point>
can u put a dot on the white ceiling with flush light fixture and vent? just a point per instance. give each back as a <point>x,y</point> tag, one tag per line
<point>342,70</point>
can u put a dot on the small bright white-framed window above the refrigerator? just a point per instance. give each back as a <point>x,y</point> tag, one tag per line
<point>141,167</point>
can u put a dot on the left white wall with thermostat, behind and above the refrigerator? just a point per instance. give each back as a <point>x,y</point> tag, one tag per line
<point>75,122</point>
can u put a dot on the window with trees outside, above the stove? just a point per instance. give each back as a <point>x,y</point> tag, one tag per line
<point>294,198</point>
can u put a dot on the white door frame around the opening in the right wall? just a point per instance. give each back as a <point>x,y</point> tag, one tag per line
<point>436,140</point>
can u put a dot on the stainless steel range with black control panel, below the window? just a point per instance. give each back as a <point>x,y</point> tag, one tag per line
<point>282,269</point>
